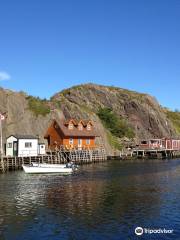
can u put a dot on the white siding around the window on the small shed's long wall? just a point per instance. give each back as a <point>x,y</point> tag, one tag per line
<point>27,151</point>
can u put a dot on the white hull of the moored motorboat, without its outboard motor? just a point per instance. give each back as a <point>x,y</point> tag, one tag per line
<point>43,169</point>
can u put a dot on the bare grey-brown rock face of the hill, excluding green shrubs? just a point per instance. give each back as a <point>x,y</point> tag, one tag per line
<point>141,111</point>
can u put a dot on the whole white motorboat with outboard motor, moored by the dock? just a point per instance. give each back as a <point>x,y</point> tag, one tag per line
<point>49,168</point>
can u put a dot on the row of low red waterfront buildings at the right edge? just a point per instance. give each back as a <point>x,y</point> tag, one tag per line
<point>164,143</point>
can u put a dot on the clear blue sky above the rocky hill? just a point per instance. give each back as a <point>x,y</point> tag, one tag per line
<point>46,46</point>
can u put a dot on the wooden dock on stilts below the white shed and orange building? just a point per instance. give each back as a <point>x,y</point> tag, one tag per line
<point>76,156</point>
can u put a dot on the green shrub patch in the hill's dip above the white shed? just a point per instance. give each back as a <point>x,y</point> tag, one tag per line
<point>38,106</point>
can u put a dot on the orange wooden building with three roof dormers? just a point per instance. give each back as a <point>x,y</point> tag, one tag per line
<point>71,134</point>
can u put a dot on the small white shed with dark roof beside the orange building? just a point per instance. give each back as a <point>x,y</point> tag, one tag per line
<point>22,145</point>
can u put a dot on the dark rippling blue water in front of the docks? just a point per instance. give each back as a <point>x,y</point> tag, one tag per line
<point>101,201</point>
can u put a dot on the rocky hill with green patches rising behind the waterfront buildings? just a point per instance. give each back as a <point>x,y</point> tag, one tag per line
<point>139,115</point>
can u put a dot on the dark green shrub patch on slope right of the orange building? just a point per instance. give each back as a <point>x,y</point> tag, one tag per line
<point>116,126</point>
